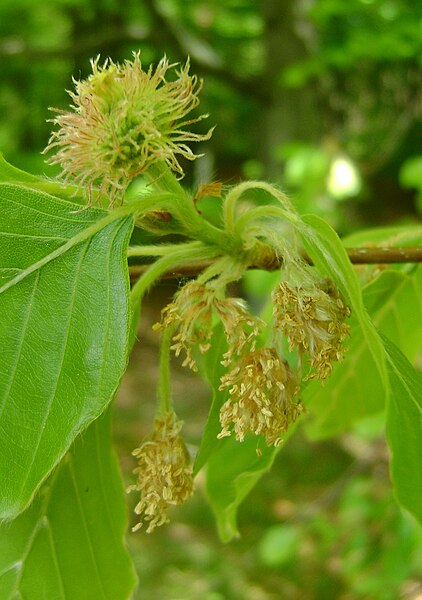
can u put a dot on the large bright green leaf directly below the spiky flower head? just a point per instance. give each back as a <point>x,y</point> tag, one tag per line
<point>64,306</point>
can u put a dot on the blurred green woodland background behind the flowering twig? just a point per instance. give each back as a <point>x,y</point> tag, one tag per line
<point>324,98</point>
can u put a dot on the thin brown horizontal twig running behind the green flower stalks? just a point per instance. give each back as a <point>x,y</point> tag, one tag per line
<point>357,256</point>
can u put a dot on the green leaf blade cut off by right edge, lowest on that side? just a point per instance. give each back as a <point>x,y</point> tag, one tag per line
<point>404,430</point>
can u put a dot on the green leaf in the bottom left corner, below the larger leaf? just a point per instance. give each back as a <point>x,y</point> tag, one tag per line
<point>69,544</point>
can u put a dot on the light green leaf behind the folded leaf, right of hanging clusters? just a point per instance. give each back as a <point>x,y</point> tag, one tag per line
<point>394,303</point>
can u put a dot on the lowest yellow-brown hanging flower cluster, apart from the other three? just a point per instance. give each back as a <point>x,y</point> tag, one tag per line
<point>164,472</point>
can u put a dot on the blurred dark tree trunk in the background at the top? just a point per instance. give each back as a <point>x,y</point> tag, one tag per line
<point>292,114</point>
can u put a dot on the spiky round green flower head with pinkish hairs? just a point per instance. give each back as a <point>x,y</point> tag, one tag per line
<point>122,121</point>
